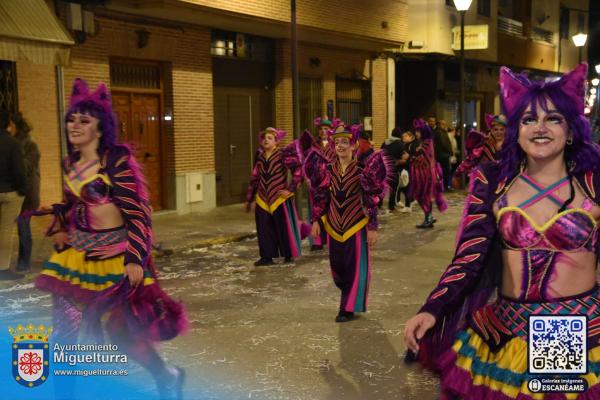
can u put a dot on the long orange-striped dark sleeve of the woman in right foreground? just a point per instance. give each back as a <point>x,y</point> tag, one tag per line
<point>460,289</point>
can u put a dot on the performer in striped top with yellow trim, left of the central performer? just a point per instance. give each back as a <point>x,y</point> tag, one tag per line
<point>275,212</point>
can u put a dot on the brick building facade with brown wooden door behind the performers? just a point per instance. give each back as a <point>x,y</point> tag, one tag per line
<point>167,87</point>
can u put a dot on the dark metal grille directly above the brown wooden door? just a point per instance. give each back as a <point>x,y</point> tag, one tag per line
<point>143,76</point>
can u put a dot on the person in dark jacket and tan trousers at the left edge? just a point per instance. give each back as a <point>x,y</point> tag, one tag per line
<point>12,190</point>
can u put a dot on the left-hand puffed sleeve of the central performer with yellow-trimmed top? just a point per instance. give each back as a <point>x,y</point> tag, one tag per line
<point>316,169</point>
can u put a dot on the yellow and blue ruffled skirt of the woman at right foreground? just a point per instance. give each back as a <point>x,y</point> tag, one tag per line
<point>488,360</point>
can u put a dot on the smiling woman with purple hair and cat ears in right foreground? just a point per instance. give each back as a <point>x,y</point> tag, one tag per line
<point>529,235</point>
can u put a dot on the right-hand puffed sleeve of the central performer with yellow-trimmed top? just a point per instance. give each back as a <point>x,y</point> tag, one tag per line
<point>374,180</point>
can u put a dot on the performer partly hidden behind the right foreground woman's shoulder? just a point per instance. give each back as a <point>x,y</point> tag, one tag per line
<point>482,147</point>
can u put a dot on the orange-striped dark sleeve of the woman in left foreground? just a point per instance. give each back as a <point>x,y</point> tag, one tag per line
<point>128,194</point>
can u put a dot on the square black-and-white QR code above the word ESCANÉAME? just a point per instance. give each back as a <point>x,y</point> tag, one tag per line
<point>557,344</point>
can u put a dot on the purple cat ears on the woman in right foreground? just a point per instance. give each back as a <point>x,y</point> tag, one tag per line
<point>513,87</point>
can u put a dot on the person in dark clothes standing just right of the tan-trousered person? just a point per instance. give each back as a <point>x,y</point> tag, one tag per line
<point>31,154</point>
